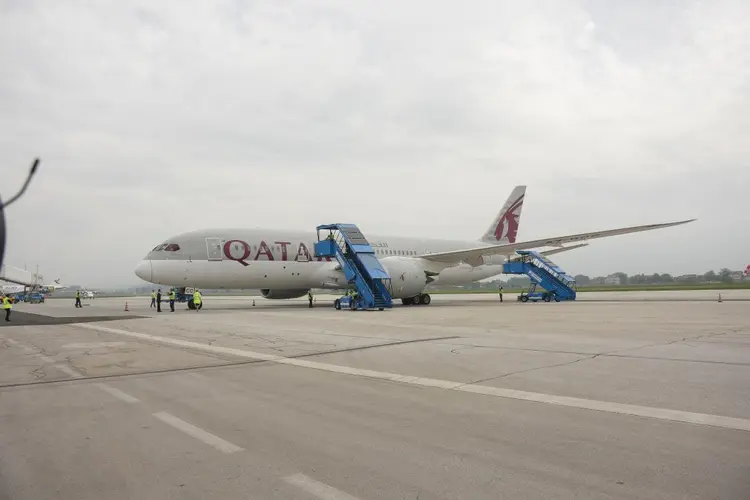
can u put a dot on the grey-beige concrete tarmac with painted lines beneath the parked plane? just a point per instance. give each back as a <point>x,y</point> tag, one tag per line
<point>614,396</point>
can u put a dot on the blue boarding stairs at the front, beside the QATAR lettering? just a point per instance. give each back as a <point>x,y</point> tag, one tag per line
<point>363,270</point>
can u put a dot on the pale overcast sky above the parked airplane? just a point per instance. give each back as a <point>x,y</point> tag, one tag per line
<point>406,117</point>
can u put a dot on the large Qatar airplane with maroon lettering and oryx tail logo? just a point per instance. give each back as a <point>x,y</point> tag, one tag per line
<point>281,265</point>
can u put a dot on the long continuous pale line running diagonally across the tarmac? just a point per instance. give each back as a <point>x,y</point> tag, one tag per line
<point>587,404</point>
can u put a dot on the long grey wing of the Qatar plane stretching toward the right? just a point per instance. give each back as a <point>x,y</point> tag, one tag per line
<point>473,256</point>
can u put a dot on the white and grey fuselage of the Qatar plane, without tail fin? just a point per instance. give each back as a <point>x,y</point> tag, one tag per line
<point>260,259</point>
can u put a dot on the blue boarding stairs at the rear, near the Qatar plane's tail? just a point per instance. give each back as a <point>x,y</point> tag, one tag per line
<point>557,284</point>
